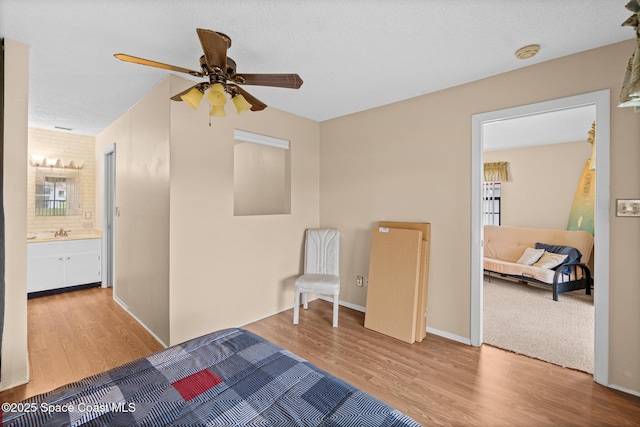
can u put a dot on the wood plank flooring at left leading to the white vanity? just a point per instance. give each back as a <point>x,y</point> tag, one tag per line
<point>76,334</point>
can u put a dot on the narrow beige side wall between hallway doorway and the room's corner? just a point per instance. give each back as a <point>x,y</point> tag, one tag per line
<point>141,137</point>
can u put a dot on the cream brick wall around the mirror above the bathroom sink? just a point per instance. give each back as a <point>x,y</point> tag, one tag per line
<point>65,146</point>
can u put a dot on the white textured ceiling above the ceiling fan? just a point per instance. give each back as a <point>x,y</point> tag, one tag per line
<point>352,55</point>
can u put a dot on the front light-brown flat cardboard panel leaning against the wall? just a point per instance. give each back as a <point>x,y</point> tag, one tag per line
<point>394,278</point>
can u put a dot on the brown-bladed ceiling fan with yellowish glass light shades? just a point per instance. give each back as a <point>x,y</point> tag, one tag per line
<point>221,73</point>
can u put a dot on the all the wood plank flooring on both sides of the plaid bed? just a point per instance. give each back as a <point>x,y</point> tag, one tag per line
<point>437,382</point>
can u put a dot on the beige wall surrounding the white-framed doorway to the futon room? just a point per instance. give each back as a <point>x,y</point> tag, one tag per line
<point>411,161</point>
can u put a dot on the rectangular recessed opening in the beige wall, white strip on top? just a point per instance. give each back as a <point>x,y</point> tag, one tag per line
<point>261,175</point>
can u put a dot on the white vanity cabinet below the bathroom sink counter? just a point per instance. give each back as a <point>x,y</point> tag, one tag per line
<point>63,263</point>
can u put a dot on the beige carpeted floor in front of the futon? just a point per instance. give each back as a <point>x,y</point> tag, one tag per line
<point>524,319</point>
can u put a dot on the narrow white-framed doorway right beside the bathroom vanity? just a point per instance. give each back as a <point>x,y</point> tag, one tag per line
<point>108,232</point>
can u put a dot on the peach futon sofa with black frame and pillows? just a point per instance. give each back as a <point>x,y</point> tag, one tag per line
<point>537,255</point>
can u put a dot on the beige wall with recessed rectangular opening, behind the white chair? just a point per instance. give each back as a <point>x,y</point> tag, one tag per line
<point>228,270</point>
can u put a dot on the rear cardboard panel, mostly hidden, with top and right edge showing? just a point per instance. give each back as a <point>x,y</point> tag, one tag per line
<point>425,228</point>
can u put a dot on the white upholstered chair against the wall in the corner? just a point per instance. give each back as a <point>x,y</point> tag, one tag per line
<point>321,270</point>
